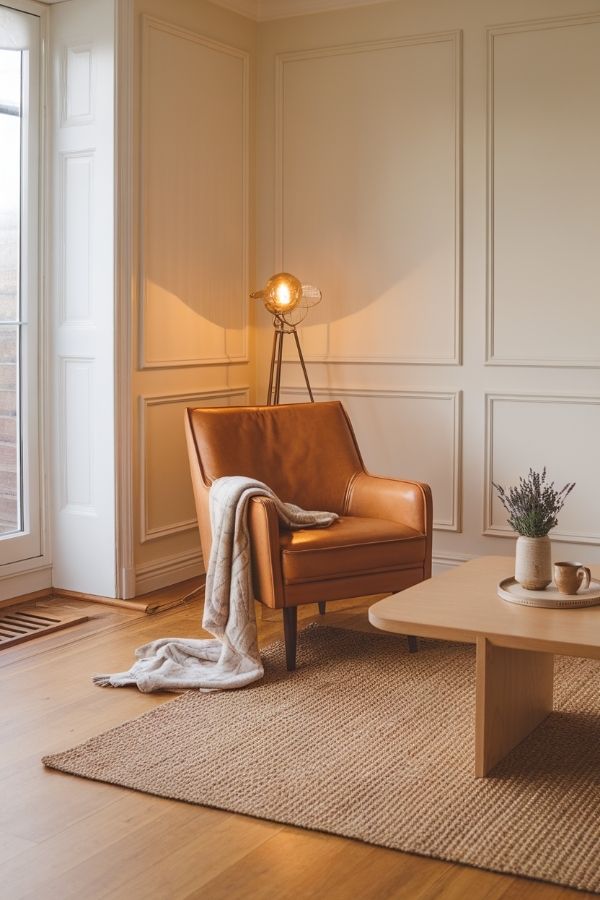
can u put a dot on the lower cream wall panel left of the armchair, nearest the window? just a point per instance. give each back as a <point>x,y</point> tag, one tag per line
<point>166,498</point>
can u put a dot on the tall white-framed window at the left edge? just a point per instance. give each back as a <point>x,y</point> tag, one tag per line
<point>19,283</point>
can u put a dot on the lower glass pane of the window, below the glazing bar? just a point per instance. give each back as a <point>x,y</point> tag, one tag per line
<point>10,514</point>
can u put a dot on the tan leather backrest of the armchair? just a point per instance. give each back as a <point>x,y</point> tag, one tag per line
<point>305,452</point>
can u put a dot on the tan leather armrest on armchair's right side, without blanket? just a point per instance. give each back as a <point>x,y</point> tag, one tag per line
<point>406,502</point>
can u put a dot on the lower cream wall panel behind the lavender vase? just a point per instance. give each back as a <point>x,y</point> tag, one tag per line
<point>560,432</point>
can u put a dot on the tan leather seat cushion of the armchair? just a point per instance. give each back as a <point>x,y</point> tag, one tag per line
<point>353,545</point>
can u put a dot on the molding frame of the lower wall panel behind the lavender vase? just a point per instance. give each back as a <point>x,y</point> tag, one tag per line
<point>490,399</point>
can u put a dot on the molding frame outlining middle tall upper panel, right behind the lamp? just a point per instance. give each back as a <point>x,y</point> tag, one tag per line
<point>281,60</point>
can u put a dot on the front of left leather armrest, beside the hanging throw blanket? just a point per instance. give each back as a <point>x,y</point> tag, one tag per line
<point>263,526</point>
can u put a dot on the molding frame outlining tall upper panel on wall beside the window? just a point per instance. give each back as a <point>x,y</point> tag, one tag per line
<point>149,23</point>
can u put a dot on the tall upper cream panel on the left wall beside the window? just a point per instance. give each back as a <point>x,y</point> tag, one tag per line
<point>194,199</point>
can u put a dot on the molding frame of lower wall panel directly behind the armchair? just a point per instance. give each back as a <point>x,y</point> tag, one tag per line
<point>454,397</point>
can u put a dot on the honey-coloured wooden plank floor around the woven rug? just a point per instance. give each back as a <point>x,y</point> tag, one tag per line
<point>64,837</point>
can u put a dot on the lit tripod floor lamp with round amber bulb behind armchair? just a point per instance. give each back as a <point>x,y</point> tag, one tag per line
<point>289,300</point>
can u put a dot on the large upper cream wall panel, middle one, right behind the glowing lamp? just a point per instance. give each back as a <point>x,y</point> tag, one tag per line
<point>368,145</point>
